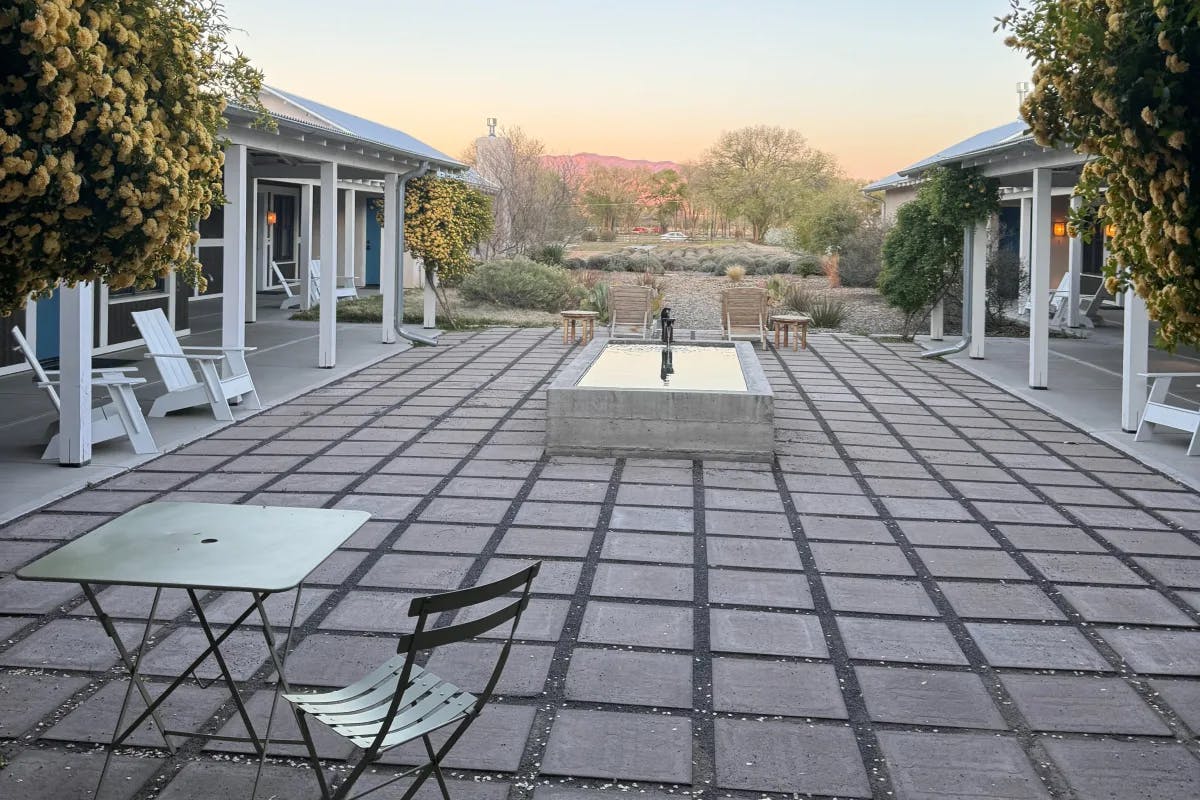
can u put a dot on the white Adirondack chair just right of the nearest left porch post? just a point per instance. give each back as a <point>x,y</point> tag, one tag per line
<point>224,372</point>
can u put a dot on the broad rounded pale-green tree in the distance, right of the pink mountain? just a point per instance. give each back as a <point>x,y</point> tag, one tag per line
<point>761,172</point>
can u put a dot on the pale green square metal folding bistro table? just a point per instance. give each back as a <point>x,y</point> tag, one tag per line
<point>200,548</point>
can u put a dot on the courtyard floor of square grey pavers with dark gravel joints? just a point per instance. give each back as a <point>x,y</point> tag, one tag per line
<point>938,591</point>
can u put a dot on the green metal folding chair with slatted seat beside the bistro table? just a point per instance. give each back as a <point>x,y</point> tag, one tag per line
<point>400,701</point>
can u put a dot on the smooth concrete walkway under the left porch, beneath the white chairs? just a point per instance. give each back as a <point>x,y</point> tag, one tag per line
<point>284,368</point>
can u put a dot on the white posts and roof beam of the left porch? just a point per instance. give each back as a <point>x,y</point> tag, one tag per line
<point>314,157</point>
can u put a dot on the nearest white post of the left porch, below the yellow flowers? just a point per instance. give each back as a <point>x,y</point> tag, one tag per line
<point>76,318</point>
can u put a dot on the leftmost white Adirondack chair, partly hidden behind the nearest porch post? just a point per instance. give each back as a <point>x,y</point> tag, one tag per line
<point>122,417</point>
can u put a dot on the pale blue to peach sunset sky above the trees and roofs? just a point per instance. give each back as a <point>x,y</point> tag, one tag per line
<point>878,83</point>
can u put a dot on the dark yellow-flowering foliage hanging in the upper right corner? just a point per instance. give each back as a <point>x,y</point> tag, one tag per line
<point>1120,81</point>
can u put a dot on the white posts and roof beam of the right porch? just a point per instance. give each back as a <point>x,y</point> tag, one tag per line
<point>1034,175</point>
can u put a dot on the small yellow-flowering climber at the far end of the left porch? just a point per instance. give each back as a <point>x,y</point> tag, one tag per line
<point>445,220</point>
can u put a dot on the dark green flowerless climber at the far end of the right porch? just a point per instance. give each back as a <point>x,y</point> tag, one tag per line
<point>923,251</point>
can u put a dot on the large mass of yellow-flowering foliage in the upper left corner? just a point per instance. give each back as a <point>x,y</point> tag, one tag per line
<point>110,147</point>
